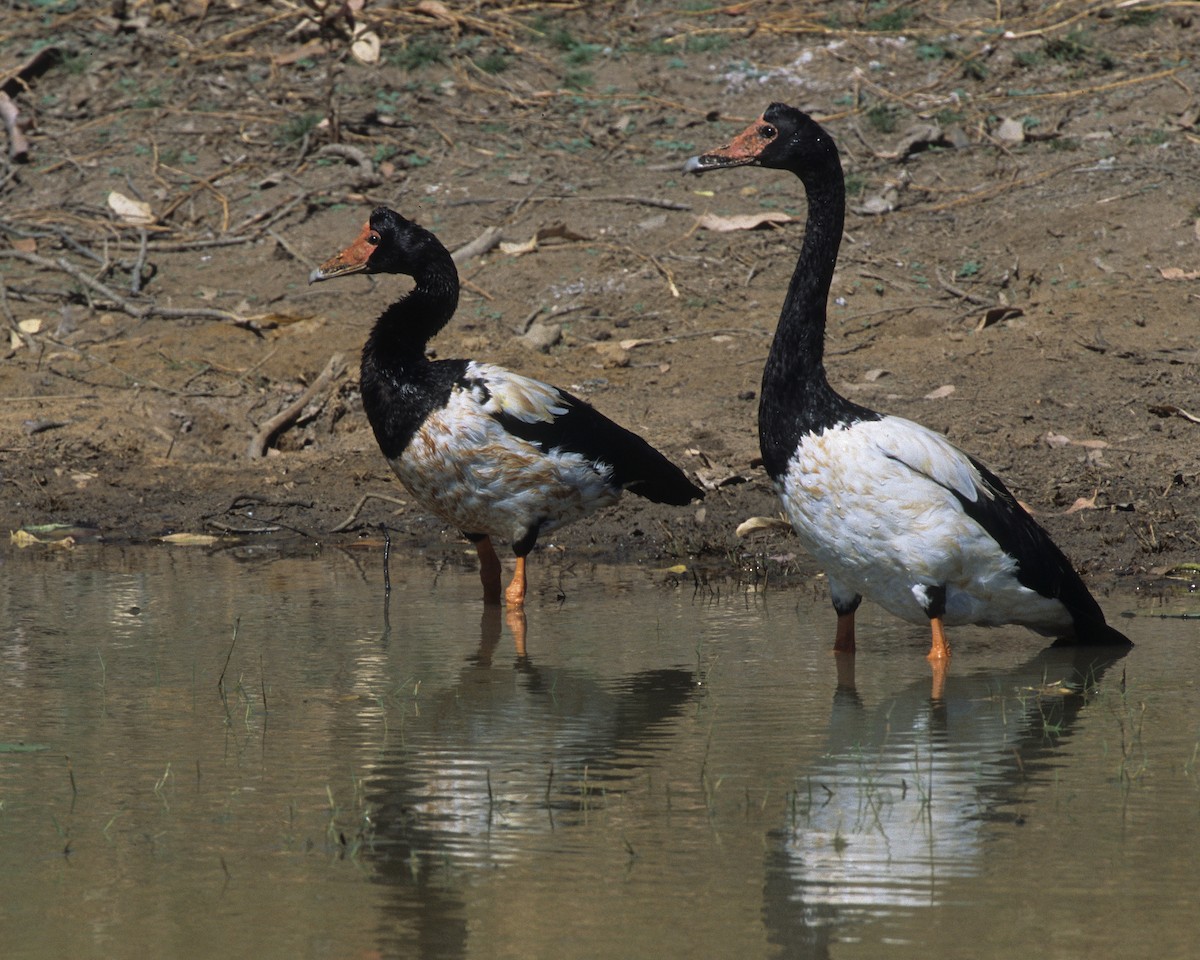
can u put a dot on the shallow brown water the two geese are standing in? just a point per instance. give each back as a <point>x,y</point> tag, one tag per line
<point>664,773</point>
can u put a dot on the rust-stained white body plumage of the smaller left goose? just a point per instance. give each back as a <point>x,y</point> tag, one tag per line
<point>467,469</point>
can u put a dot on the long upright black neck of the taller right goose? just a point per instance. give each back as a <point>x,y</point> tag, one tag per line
<point>796,397</point>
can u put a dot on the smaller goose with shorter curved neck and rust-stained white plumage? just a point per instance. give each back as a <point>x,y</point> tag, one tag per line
<point>491,452</point>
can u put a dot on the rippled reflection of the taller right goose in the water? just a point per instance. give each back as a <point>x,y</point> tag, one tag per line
<point>911,791</point>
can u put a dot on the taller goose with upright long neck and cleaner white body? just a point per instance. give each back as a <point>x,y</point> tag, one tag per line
<point>891,509</point>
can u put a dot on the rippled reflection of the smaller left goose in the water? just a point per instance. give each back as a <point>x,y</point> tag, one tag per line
<point>509,749</point>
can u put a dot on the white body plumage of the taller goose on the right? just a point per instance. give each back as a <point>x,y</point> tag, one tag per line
<point>874,502</point>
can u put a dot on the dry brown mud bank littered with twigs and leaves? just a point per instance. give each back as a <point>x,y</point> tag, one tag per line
<point>1019,267</point>
